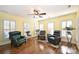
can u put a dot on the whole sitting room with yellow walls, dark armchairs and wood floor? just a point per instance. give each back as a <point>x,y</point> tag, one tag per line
<point>39,29</point>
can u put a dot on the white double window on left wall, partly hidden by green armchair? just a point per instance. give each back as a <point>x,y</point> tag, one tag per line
<point>8,26</point>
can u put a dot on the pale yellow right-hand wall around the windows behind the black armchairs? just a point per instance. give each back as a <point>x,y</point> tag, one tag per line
<point>57,23</point>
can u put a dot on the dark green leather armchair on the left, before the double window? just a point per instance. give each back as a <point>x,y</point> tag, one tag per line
<point>16,38</point>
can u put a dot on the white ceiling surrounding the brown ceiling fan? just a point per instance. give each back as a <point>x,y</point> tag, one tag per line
<point>51,10</point>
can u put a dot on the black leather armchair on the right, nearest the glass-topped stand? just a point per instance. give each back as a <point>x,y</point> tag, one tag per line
<point>55,38</point>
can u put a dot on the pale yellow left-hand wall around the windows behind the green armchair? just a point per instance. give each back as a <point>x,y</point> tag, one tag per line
<point>19,23</point>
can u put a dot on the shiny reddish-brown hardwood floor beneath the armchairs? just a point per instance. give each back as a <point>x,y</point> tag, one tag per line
<point>35,46</point>
